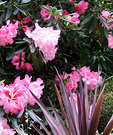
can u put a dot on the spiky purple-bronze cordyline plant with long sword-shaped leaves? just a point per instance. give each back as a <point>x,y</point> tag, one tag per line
<point>79,120</point>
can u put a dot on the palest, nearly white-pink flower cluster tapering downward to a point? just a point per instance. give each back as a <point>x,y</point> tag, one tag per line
<point>45,39</point>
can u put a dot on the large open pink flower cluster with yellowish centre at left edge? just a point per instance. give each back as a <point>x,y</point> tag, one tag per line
<point>14,97</point>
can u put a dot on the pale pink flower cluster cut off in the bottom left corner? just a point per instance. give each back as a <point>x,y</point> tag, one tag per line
<point>4,127</point>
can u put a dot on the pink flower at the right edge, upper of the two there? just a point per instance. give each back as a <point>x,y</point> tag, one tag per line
<point>108,18</point>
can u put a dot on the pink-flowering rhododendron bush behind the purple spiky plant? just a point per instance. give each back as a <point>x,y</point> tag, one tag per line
<point>35,36</point>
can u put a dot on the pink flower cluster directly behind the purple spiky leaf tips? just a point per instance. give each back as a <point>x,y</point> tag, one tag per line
<point>87,76</point>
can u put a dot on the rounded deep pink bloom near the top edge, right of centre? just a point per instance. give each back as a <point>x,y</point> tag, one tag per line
<point>81,7</point>
